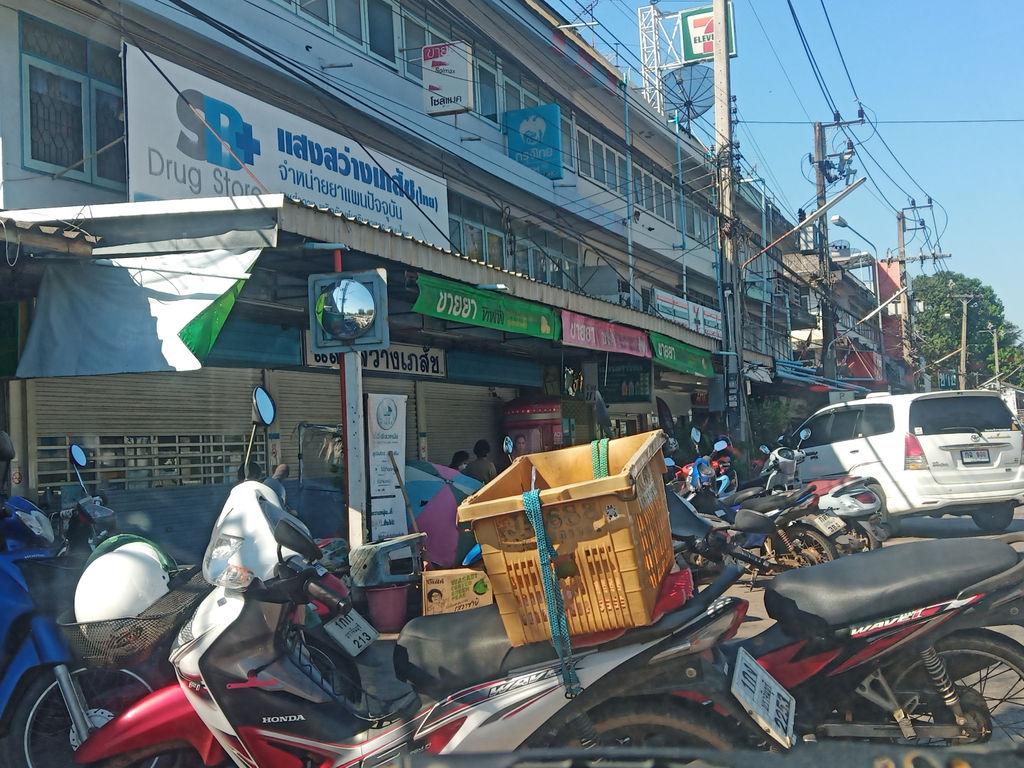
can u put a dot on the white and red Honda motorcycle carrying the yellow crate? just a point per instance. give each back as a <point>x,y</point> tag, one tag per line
<point>260,689</point>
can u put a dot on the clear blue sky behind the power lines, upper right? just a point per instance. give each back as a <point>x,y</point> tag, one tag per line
<point>912,60</point>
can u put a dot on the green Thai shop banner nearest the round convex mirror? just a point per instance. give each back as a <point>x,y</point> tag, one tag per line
<point>455,302</point>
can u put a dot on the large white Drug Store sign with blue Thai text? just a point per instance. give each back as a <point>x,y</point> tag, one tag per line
<point>204,140</point>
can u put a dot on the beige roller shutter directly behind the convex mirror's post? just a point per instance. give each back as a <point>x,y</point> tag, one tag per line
<point>316,398</point>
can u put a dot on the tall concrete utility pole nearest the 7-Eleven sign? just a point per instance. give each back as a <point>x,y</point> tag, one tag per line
<point>731,274</point>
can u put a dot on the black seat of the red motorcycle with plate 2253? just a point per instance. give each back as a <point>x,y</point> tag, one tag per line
<point>883,583</point>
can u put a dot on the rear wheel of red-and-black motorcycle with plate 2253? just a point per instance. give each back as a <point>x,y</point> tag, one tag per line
<point>988,672</point>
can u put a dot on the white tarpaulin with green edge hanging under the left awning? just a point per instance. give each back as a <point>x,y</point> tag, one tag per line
<point>133,316</point>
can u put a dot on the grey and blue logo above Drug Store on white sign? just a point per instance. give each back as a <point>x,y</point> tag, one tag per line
<point>218,135</point>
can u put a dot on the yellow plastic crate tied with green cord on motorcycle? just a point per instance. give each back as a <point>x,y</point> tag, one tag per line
<point>614,531</point>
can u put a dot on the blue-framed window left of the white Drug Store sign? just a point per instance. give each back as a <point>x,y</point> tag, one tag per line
<point>72,106</point>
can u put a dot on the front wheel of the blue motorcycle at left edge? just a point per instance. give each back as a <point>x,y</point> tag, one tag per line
<point>41,734</point>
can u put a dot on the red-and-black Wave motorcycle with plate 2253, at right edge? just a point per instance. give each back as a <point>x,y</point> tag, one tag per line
<point>892,646</point>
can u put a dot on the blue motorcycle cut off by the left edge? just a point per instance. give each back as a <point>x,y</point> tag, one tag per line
<point>49,704</point>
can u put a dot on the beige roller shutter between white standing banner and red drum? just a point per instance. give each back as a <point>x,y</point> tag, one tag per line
<point>459,415</point>
